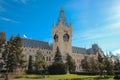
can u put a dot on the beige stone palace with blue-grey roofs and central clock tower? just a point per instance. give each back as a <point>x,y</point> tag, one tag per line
<point>62,38</point>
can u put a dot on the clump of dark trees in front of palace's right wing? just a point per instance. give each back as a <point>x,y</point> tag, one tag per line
<point>103,66</point>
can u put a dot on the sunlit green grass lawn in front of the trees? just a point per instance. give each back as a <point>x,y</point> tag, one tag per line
<point>63,77</point>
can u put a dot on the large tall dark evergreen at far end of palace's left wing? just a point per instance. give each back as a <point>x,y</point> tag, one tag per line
<point>13,54</point>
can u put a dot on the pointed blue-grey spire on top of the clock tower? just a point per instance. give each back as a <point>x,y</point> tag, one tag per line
<point>62,17</point>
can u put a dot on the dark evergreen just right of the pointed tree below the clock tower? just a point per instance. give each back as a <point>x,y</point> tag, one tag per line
<point>70,64</point>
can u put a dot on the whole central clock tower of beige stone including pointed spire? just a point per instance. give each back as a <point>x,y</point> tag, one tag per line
<point>62,35</point>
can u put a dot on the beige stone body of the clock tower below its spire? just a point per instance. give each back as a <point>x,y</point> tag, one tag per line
<point>62,39</point>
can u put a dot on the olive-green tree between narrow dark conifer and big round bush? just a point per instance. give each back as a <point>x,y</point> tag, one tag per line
<point>40,65</point>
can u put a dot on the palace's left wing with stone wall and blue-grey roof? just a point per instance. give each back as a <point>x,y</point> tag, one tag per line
<point>30,47</point>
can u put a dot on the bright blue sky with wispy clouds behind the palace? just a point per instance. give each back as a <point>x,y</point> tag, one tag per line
<point>93,21</point>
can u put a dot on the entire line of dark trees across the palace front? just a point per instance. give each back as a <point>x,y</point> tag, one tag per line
<point>13,60</point>
